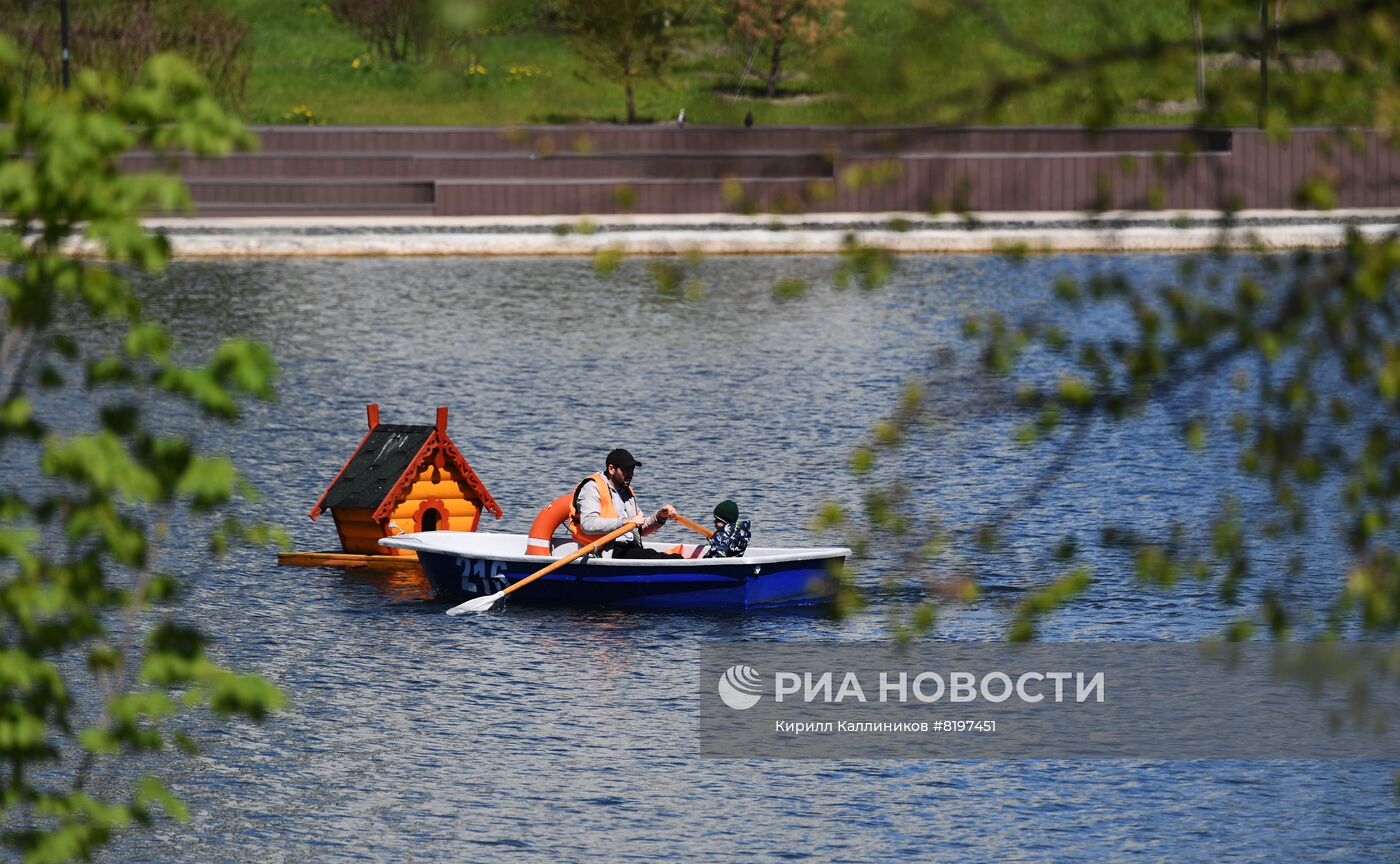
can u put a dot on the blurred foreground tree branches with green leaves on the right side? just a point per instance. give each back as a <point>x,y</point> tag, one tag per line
<point>1317,333</point>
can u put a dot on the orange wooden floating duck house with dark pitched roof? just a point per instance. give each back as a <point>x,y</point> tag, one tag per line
<point>404,480</point>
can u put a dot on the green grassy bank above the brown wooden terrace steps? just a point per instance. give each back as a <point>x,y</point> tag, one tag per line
<point>899,65</point>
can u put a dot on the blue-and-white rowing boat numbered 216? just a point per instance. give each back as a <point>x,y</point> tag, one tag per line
<point>463,565</point>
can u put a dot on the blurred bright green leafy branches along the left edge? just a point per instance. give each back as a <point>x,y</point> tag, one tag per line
<point>79,554</point>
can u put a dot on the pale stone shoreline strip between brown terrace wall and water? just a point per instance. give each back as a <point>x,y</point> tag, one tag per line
<point>730,235</point>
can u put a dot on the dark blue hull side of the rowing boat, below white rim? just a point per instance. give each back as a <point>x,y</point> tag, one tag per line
<point>719,587</point>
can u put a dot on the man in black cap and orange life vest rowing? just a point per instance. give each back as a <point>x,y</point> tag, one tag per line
<point>605,502</point>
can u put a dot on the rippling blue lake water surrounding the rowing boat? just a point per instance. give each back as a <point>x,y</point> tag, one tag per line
<point>554,736</point>
